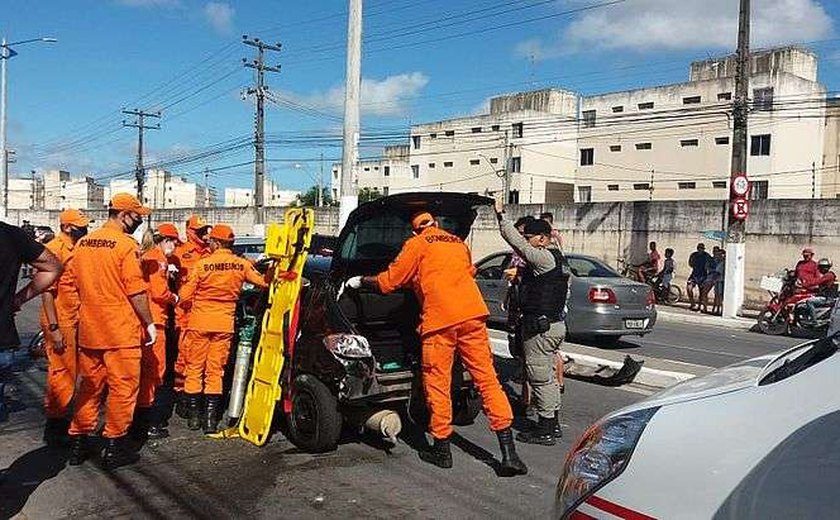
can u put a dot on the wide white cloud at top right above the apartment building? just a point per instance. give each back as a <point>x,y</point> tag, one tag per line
<point>686,25</point>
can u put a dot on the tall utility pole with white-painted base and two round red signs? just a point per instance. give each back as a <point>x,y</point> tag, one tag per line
<point>733,297</point>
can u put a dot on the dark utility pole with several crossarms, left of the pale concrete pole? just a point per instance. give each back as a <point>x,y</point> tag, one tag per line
<point>258,64</point>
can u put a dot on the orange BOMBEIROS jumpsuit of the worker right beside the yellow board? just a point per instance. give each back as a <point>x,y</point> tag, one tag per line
<point>210,297</point>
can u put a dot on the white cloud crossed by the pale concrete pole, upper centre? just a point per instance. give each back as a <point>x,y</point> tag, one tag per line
<point>386,97</point>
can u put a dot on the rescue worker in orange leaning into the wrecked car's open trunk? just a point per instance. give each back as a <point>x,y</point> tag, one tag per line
<point>437,266</point>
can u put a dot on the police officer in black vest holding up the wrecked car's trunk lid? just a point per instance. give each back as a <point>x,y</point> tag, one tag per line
<point>543,291</point>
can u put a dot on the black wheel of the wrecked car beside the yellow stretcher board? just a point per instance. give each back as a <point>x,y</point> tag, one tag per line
<point>314,422</point>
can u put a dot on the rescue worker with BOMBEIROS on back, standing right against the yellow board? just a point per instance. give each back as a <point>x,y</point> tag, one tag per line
<point>210,297</point>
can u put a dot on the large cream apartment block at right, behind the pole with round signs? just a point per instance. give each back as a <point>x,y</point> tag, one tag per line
<point>674,141</point>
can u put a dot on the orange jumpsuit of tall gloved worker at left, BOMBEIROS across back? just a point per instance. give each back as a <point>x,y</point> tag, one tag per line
<point>107,270</point>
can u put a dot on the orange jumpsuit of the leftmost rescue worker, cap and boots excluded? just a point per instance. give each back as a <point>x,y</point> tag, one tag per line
<point>61,374</point>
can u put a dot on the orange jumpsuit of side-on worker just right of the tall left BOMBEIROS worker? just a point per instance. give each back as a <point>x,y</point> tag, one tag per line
<point>153,361</point>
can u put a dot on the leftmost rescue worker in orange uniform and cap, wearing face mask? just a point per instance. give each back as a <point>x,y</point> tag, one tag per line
<point>59,321</point>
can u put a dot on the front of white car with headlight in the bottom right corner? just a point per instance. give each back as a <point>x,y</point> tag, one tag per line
<point>758,439</point>
